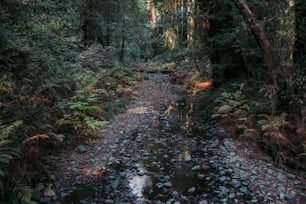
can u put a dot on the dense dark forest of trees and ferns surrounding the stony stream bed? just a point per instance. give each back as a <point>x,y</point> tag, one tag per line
<point>67,66</point>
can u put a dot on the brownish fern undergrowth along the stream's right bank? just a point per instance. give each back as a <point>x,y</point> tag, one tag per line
<point>261,115</point>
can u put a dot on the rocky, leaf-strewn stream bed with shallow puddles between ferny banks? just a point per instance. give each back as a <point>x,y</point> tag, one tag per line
<point>155,153</point>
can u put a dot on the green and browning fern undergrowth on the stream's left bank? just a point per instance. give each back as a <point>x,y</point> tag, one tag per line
<point>41,116</point>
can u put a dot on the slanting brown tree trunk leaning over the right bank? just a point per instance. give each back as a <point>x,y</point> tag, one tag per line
<point>260,36</point>
